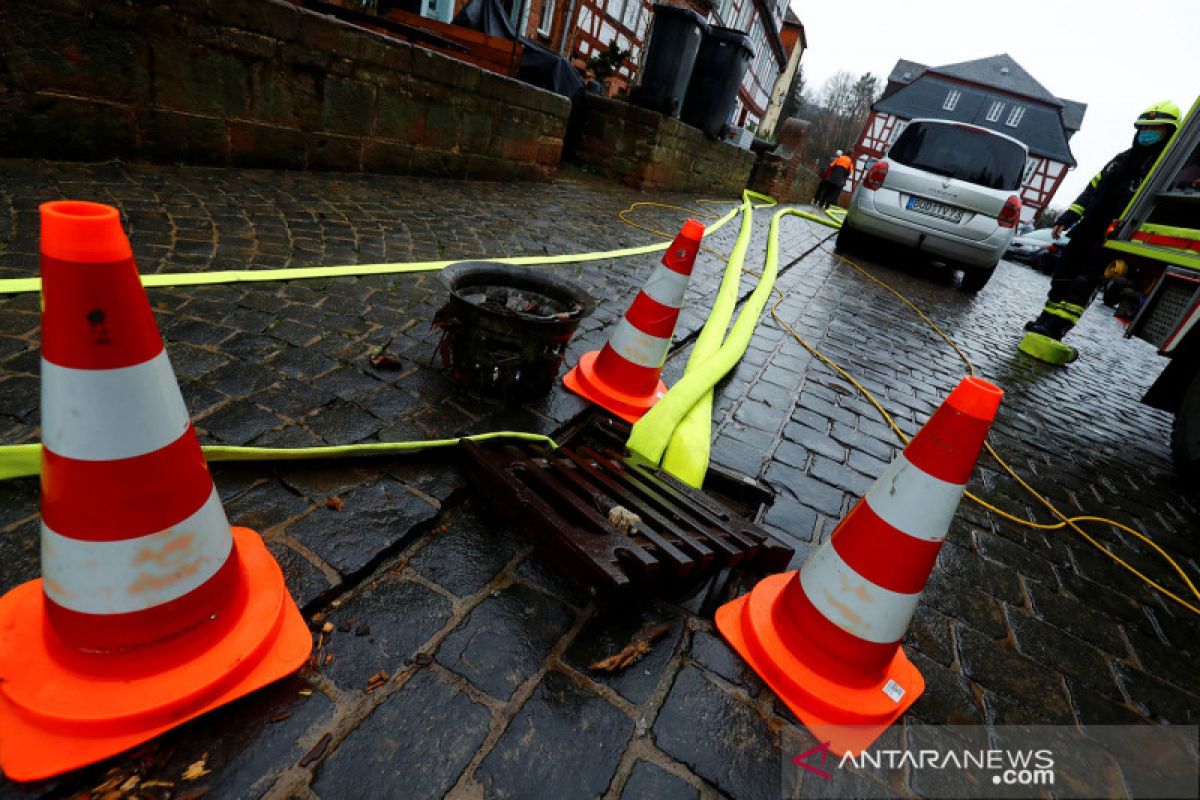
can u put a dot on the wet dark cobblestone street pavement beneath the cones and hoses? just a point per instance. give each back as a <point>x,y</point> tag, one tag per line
<point>488,649</point>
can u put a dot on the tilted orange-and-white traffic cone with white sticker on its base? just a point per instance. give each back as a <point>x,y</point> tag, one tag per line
<point>827,639</point>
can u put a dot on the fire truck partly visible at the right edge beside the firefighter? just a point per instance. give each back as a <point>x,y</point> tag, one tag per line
<point>1157,246</point>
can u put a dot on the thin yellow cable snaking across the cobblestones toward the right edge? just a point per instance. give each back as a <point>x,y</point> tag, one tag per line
<point>1064,521</point>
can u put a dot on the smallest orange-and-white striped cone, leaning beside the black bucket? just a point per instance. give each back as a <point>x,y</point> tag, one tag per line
<point>625,376</point>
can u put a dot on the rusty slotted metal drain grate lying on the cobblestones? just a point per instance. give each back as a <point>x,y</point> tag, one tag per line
<point>613,526</point>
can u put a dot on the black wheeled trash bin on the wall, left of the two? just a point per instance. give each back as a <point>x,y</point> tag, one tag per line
<point>675,41</point>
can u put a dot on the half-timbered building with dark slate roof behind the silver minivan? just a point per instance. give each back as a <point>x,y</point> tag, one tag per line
<point>995,93</point>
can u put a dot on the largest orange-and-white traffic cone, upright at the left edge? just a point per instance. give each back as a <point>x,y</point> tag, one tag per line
<point>151,610</point>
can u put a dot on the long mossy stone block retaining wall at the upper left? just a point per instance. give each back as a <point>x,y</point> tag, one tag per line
<point>257,83</point>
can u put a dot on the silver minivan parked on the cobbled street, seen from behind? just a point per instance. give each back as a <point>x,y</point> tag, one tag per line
<point>949,189</point>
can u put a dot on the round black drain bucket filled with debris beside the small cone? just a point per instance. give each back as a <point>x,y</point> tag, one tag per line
<point>506,329</point>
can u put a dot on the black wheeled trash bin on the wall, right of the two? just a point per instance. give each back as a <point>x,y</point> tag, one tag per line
<point>723,61</point>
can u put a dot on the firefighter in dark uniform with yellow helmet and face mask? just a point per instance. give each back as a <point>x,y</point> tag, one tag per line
<point>1082,268</point>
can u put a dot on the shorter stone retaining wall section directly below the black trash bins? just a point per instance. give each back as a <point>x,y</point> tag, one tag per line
<point>647,151</point>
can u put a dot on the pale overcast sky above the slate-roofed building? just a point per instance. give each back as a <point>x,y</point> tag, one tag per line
<point>1115,57</point>
